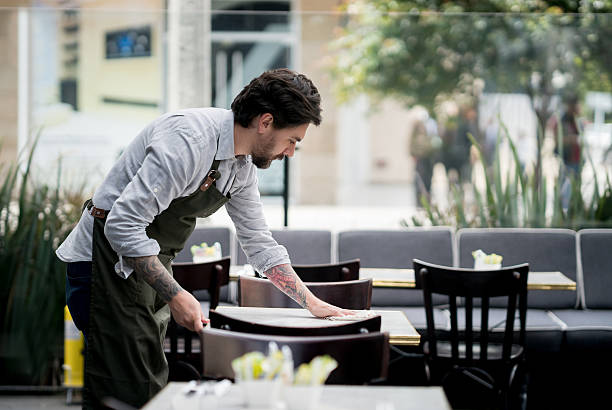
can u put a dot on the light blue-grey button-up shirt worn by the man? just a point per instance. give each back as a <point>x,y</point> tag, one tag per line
<point>169,159</point>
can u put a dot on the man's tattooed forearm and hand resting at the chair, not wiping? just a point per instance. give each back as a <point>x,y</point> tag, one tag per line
<point>185,309</point>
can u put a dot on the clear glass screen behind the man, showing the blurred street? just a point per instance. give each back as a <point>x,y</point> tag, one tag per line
<point>401,92</point>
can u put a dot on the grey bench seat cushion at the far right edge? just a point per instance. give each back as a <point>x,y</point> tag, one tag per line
<point>586,329</point>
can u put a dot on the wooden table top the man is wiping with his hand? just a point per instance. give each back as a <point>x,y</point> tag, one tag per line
<point>401,331</point>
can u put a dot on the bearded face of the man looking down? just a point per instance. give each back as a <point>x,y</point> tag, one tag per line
<point>276,143</point>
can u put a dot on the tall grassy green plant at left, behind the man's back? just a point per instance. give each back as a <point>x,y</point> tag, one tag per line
<point>34,219</point>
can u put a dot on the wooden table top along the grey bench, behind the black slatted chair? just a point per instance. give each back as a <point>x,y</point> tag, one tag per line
<point>404,278</point>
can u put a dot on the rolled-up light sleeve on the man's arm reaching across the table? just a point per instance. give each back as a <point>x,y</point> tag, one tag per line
<point>246,211</point>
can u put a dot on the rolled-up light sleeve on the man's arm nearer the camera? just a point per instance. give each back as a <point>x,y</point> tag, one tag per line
<point>166,171</point>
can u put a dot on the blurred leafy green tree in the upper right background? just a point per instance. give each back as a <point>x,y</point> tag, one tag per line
<point>425,51</point>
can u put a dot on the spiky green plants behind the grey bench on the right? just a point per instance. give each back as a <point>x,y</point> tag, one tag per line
<point>518,199</point>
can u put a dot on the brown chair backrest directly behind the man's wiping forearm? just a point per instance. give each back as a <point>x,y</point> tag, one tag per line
<point>352,294</point>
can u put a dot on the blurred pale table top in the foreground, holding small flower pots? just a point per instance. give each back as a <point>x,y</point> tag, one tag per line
<point>333,397</point>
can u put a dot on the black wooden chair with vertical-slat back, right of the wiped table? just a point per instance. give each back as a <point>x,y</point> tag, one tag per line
<point>475,366</point>
